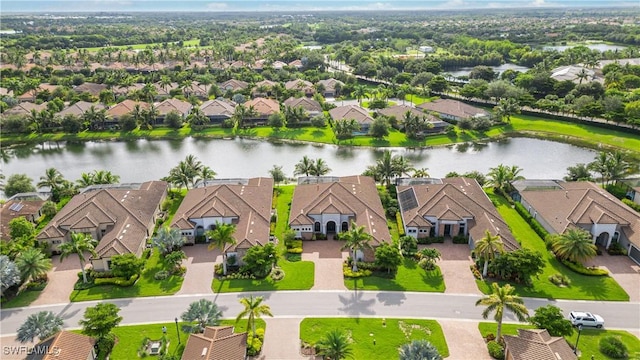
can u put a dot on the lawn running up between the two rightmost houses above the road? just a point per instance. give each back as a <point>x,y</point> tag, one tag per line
<point>582,287</point>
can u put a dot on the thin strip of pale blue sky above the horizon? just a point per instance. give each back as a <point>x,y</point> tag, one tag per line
<point>286,5</point>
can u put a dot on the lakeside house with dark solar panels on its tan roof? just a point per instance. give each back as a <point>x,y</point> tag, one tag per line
<point>451,207</point>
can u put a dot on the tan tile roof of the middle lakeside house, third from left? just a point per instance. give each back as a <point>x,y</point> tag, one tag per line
<point>352,195</point>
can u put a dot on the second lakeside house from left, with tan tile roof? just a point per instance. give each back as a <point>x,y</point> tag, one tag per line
<point>245,203</point>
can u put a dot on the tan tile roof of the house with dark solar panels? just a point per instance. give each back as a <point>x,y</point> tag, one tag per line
<point>457,199</point>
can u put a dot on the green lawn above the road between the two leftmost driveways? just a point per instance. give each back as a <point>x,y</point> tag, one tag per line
<point>145,286</point>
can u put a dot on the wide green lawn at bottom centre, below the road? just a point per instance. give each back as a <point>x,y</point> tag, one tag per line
<point>388,339</point>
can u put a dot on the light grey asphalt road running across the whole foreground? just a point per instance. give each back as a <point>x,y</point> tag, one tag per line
<point>618,315</point>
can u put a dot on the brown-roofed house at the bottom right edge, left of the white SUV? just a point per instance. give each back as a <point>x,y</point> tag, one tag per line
<point>537,344</point>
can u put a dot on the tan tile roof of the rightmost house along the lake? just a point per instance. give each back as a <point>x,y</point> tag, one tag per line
<point>579,203</point>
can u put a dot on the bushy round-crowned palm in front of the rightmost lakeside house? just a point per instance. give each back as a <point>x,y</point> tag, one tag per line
<point>574,245</point>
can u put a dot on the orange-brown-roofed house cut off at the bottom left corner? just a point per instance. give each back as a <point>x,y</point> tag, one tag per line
<point>64,345</point>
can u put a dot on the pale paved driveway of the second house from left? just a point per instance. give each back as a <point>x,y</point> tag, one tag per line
<point>200,268</point>
